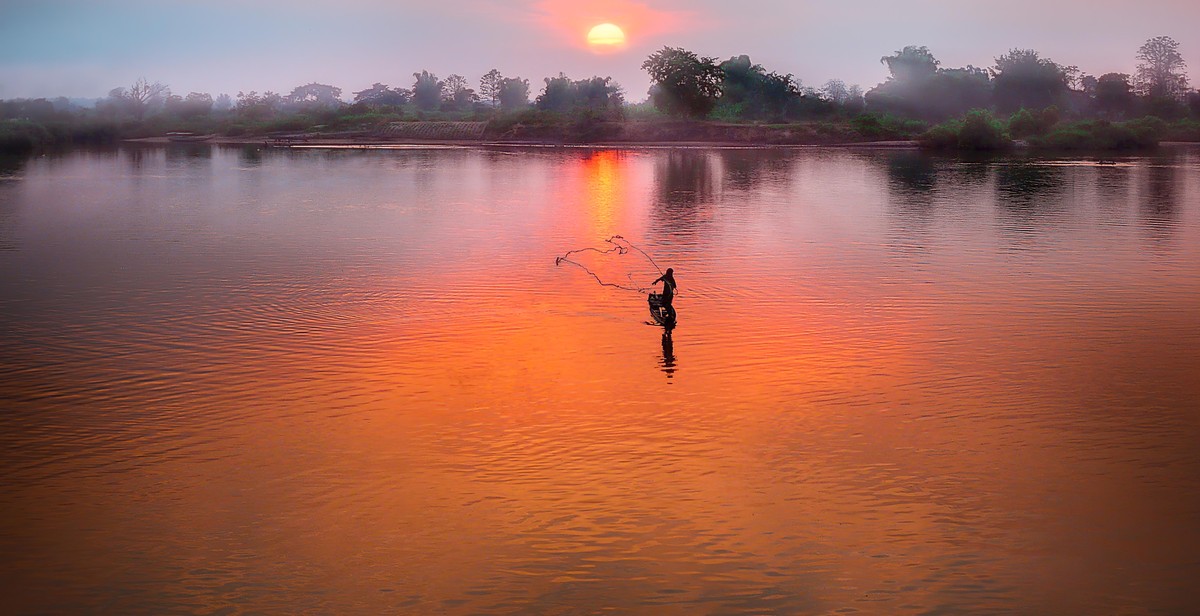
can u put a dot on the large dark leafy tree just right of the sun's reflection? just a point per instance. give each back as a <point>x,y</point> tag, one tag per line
<point>687,85</point>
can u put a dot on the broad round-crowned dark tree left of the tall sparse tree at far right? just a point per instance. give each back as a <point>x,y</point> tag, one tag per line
<point>1023,79</point>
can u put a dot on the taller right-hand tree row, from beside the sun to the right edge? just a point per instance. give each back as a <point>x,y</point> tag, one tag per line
<point>920,87</point>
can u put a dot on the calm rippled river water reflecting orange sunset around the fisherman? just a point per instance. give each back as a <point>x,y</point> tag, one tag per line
<point>357,382</point>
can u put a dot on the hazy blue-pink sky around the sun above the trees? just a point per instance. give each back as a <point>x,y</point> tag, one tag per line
<point>85,49</point>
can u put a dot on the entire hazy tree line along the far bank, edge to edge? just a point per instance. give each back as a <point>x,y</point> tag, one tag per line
<point>1034,92</point>
